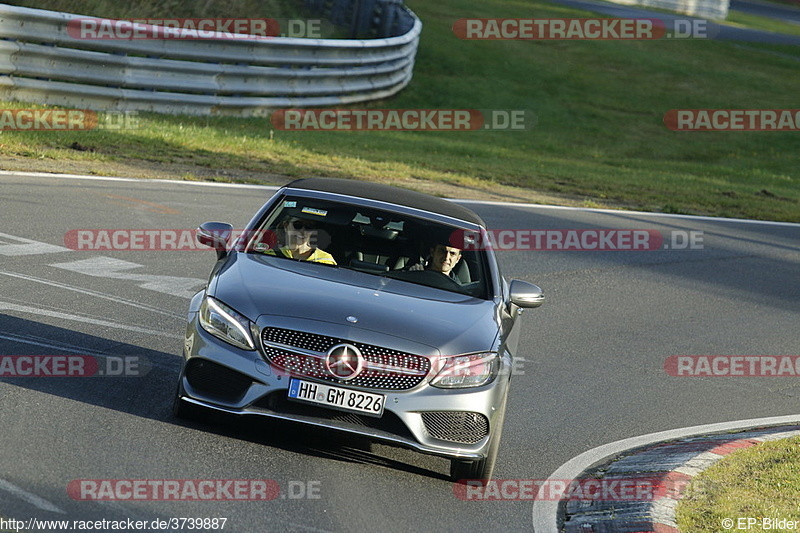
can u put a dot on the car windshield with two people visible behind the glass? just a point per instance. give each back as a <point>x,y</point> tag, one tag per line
<point>372,241</point>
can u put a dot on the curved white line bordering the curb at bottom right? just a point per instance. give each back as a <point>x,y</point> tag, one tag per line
<point>545,513</point>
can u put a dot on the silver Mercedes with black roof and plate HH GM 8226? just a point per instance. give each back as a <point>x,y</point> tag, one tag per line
<point>360,308</point>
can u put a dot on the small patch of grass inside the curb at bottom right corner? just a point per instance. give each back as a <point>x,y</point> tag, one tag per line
<point>758,482</point>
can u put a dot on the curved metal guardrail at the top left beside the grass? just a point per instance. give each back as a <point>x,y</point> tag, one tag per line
<point>41,62</point>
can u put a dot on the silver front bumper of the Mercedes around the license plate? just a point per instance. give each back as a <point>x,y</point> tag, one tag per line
<point>243,383</point>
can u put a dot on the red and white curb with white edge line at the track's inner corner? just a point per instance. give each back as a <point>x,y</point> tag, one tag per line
<point>674,457</point>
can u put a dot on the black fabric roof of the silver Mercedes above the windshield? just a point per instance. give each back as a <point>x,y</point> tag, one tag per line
<point>388,194</point>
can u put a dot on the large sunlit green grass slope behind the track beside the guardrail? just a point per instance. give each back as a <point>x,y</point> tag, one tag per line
<point>599,135</point>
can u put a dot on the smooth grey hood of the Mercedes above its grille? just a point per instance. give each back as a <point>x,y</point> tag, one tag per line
<point>429,320</point>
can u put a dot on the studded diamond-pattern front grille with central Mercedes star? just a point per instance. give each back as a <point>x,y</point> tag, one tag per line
<point>303,354</point>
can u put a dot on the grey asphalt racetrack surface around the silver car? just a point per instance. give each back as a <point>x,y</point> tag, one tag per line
<point>592,370</point>
